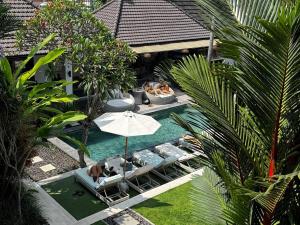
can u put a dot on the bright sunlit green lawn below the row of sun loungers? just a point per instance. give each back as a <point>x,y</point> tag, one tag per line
<point>172,207</point>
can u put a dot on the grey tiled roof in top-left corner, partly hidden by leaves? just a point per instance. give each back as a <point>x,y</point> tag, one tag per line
<point>23,10</point>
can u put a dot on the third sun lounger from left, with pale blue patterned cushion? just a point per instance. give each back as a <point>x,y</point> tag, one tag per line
<point>163,167</point>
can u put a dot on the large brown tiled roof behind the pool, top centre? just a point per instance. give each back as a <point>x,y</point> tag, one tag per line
<point>144,22</point>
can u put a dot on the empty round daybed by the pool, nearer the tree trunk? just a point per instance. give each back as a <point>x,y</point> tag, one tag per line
<point>120,104</point>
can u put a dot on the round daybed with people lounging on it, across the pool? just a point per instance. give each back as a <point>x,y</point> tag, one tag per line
<point>160,99</point>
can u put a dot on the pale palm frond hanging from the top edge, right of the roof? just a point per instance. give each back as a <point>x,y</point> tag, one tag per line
<point>230,14</point>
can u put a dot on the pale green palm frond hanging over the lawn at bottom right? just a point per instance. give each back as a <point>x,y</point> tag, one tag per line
<point>213,205</point>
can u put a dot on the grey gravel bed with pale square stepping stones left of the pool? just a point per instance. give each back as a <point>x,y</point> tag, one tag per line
<point>54,156</point>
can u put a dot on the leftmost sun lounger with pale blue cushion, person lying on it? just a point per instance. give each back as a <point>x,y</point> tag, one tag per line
<point>100,189</point>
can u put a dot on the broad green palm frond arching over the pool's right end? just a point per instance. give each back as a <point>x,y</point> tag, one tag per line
<point>219,114</point>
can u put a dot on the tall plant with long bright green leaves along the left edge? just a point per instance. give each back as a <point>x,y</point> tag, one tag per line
<point>27,117</point>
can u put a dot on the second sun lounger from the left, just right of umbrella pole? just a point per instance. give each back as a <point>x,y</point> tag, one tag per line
<point>140,179</point>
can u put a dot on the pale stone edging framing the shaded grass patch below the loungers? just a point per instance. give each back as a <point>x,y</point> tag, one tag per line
<point>57,215</point>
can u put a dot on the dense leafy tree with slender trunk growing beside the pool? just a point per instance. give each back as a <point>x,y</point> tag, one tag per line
<point>101,60</point>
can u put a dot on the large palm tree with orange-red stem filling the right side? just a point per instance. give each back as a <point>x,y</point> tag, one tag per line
<point>250,111</point>
